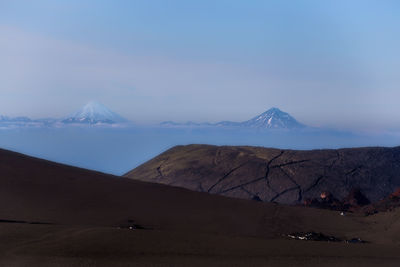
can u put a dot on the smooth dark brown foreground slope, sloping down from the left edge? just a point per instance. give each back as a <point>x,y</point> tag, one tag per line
<point>56,215</point>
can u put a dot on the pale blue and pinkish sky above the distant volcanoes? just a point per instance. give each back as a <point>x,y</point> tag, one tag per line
<point>327,63</point>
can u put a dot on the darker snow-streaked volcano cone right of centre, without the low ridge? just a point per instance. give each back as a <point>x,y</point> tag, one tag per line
<point>273,118</point>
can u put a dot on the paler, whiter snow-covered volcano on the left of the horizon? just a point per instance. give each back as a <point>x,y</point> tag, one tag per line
<point>93,113</point>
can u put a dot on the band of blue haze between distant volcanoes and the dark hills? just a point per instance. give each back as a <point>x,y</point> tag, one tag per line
<point>118,150</point>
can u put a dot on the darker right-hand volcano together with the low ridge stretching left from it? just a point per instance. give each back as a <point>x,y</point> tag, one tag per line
<point>273,118</point>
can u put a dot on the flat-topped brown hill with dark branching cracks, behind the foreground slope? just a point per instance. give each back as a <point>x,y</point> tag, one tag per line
<point>284,176</point>
